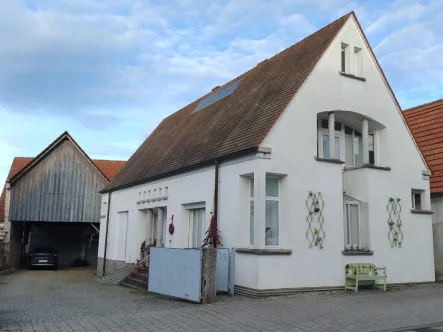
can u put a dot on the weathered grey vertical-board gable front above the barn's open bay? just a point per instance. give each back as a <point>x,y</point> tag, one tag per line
<point>63,187</point>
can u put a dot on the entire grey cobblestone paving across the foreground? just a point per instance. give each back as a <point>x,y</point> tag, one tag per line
<point>73,301</point>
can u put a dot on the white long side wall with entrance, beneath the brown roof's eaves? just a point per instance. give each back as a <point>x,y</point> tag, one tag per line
<point>189,188</point>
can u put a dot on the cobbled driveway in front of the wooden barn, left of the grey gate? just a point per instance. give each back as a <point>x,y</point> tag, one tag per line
<point>31,297</point>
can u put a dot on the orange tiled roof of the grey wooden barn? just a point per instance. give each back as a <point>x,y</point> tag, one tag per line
<point>109,168</point>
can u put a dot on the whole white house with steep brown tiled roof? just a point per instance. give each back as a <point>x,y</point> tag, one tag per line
<point>296,206</point>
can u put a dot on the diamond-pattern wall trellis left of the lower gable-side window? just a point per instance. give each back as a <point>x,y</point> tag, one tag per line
<point>315,234</point>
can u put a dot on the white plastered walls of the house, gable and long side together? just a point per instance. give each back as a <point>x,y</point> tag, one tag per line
<point>293,141</point>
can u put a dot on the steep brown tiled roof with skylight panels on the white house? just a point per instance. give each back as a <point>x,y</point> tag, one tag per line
<point>234,124</point>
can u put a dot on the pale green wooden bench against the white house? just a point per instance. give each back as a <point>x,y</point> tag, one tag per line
<point>363,272</point>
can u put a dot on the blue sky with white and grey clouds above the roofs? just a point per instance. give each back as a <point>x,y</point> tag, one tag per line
<point>108,71</point>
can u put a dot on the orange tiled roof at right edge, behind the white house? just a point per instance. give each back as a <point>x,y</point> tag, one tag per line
<point>426,123</point>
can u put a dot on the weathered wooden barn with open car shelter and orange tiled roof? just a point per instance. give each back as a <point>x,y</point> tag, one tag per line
<point>53,200</point>
